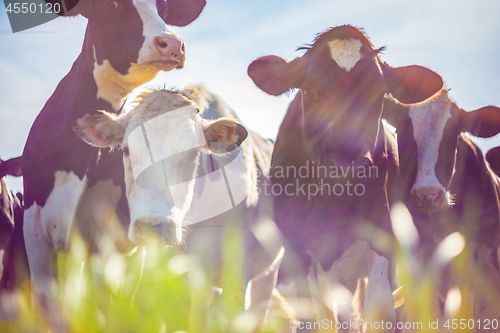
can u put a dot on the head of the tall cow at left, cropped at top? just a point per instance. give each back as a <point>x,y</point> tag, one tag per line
<point>129,41</point>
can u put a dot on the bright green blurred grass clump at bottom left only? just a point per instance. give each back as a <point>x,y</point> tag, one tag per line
<point>173,293</point>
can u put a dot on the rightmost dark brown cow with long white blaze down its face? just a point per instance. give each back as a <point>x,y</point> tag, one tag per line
<point>447,184</point>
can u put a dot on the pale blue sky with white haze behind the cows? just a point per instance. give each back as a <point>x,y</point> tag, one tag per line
<point>456,38</point>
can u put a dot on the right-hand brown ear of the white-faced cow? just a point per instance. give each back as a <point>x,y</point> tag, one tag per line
<point>224,135</point>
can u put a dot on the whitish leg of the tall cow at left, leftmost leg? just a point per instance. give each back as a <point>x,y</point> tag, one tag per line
<point>40,259</point>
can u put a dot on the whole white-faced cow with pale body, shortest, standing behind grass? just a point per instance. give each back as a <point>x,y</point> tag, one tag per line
<point>193,138</point>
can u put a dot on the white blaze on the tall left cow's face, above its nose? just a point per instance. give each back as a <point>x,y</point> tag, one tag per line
<point>153,26</point>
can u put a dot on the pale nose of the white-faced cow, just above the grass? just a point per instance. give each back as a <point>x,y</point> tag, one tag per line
<point>165,228</point>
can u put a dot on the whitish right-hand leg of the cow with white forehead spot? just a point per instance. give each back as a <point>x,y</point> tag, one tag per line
<point>379,301</point>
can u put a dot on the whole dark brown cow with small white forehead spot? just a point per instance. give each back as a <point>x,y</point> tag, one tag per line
<point>333,126</point>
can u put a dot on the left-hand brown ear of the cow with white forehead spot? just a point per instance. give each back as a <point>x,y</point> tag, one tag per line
<point>275,75</point>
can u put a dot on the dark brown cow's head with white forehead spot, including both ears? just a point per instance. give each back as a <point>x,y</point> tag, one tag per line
<point>342,83</point>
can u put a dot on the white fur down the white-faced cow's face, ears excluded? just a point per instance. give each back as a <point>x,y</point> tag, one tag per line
<point>164,194</point>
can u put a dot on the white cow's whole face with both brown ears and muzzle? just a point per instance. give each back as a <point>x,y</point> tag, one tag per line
<point>161,138</point>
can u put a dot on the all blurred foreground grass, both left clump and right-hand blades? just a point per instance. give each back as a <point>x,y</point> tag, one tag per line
<point>174,293</point>
